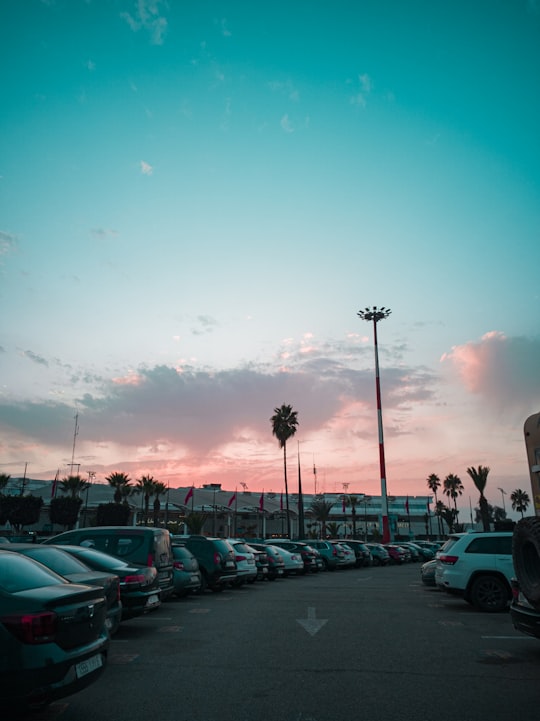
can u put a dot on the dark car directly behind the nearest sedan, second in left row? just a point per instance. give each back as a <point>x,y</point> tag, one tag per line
<point>56,559</point>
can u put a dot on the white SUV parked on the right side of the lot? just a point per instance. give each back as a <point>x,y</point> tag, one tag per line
<point>479,567</point>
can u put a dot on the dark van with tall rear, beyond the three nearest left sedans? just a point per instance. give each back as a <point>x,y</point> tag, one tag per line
<point>141,545</point>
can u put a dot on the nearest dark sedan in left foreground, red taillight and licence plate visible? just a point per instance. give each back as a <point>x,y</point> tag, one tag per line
<point>53,634</point>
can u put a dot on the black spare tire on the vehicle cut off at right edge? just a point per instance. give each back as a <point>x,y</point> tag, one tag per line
<point>526,558</point>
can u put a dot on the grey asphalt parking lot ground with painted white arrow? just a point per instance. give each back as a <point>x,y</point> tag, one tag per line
<point>362,643</point>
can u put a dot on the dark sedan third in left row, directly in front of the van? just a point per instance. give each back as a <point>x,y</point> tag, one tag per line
<point>139,585</point>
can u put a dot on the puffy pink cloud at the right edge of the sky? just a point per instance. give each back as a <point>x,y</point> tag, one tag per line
<point>502,371</point>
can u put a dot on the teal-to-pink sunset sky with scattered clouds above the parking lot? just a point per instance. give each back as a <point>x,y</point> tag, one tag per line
<point>196,199</point>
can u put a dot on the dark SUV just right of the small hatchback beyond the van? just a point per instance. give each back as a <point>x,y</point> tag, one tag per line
<point>216,559</point>
